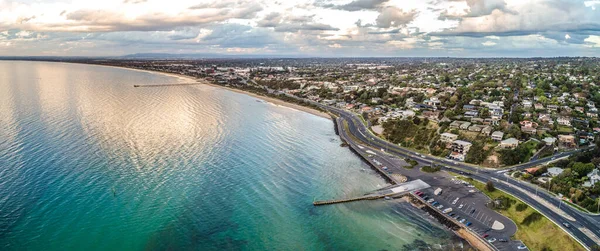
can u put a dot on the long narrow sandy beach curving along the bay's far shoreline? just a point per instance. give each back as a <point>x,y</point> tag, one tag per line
<point>265,98</point>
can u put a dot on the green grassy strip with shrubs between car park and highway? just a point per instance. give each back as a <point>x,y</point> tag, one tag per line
<point>537,234</point>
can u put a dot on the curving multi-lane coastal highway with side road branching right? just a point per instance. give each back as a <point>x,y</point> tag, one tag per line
<point>523,191</point>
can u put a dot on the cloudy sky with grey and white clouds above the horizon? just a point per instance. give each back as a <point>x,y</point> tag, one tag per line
<point>455,28</point>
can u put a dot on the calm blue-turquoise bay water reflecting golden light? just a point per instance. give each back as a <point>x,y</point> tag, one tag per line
<point>87,162</point>
